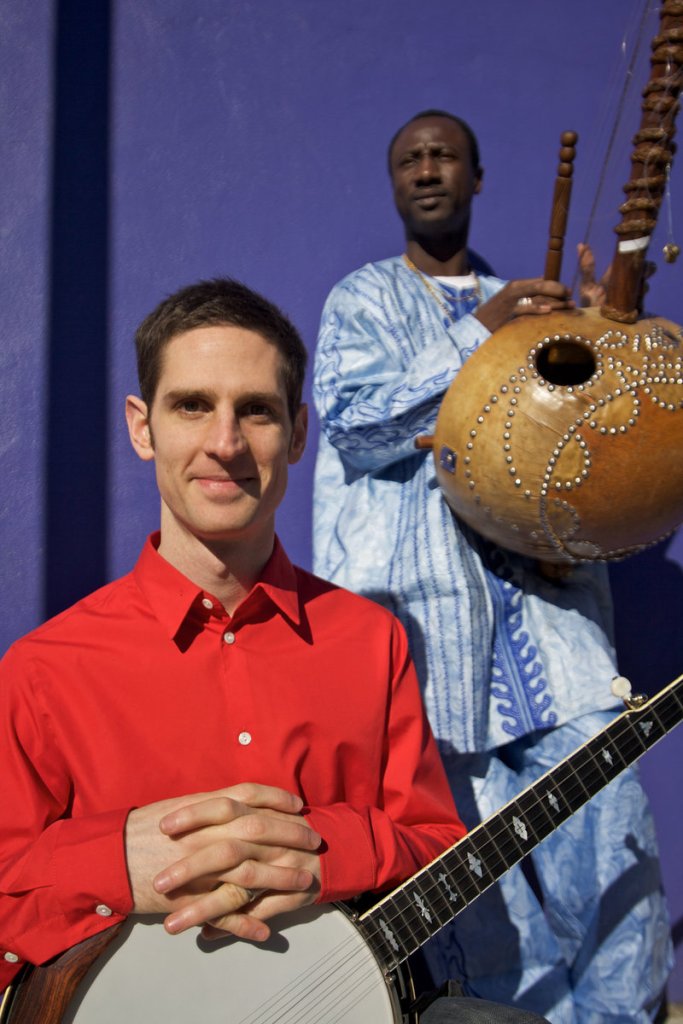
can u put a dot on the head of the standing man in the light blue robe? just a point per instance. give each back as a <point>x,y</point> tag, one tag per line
<point>434,178</point>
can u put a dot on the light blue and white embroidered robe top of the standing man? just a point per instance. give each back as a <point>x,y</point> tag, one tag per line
<point>501,652</point>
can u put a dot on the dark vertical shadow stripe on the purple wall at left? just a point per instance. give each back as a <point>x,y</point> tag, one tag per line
<point>76,478</point>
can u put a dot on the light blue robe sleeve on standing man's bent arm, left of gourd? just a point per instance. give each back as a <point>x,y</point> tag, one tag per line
<point>374,392</point>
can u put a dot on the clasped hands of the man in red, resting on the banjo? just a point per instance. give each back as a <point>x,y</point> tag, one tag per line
<point>227,861</point>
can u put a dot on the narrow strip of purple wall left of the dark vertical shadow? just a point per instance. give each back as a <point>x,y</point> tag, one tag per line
<point>26,106</point>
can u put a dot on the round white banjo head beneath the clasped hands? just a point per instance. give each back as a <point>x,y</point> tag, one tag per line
<point>316,967</point>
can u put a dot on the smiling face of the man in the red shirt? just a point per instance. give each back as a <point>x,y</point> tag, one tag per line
<point>221,436</point>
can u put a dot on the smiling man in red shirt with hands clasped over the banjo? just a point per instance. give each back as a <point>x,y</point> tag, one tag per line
<point>218,737</point>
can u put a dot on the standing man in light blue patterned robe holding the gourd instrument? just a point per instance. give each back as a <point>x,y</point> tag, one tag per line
<point>517,670</point>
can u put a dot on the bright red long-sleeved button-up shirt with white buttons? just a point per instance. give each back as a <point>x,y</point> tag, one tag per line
<point>148,690</point>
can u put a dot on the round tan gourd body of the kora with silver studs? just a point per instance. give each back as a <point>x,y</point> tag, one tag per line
<point>562,438</point>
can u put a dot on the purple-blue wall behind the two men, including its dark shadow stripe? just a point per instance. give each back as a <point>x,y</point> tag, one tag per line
<point>176,141</point>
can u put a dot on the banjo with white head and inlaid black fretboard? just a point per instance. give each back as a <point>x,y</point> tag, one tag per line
<point>325,965</point>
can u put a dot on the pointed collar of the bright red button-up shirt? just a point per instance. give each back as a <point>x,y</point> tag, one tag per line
<point>172,595</point>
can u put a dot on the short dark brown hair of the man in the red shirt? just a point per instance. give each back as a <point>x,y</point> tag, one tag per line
<point>222,302</point>
